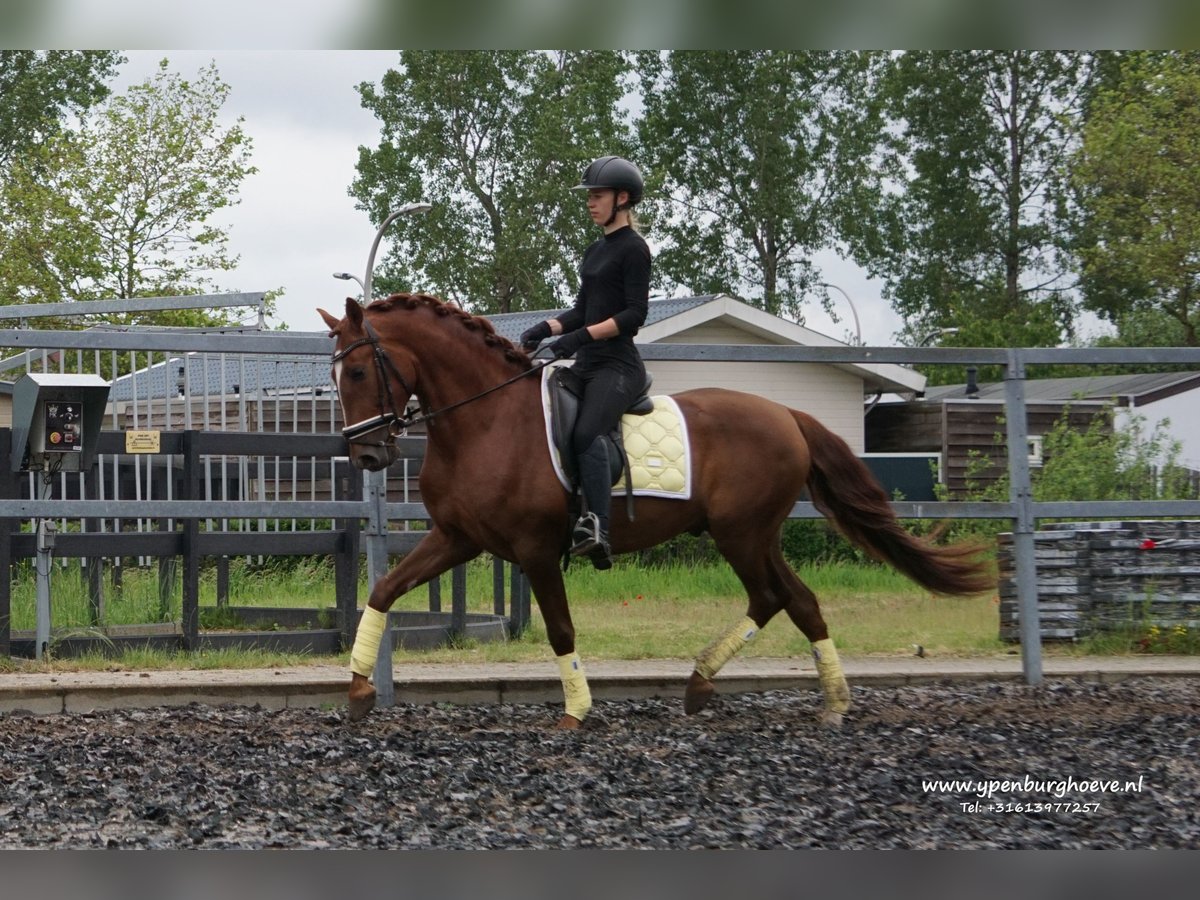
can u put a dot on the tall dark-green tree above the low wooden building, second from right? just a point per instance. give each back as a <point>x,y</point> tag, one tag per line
<point>975,243</point>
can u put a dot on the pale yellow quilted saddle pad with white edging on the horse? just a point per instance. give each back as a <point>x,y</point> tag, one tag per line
<point>657,445</point>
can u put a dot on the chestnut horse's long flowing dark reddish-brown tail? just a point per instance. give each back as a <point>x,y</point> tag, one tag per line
<point>847,493</point>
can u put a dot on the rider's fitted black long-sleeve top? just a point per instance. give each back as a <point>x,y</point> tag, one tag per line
<point>615,283</point>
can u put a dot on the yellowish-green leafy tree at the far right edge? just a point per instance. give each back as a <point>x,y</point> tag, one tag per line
<point>1138,182</point>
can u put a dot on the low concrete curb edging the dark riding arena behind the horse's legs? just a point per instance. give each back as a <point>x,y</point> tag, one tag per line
<point>307,687</point>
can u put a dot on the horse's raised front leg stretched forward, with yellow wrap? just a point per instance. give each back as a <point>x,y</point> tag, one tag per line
<point>437,553</point>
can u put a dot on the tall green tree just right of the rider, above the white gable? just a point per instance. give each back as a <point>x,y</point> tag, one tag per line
<point>759,160</point>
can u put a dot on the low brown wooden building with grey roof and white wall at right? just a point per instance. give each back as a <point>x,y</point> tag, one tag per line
<point>959,422</point>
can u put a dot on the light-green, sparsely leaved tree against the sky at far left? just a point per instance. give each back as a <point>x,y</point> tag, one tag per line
<point>124,207</point>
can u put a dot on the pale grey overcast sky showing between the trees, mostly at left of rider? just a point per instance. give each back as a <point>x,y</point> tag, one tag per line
<point>297,224</point>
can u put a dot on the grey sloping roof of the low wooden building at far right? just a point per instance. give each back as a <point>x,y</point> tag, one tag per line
<point>1131,391</point>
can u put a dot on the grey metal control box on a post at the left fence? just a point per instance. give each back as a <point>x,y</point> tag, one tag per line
<point>56,422</point>
